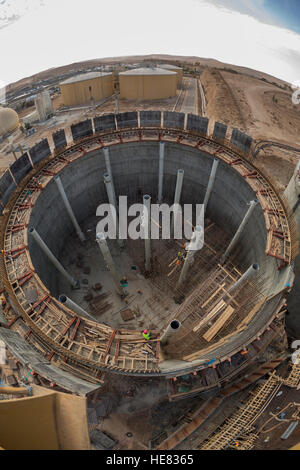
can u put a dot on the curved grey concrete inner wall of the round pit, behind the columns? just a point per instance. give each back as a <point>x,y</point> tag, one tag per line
<point>135,172</point>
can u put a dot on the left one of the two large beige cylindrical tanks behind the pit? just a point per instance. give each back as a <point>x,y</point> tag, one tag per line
<point>85,88</point>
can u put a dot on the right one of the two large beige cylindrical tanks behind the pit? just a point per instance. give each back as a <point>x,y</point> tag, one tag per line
<point>147,84</point>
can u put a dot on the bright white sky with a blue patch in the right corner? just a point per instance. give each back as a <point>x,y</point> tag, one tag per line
<point>39,34</point>
